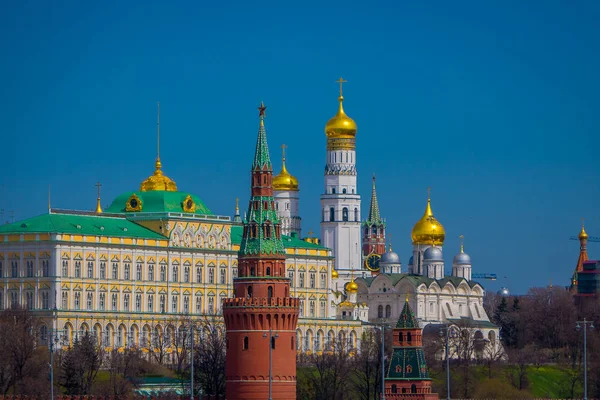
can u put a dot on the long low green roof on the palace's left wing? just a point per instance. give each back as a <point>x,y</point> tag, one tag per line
<point>98,225</point>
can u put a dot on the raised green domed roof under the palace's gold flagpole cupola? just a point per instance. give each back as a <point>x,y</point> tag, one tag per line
<point>158,201</point>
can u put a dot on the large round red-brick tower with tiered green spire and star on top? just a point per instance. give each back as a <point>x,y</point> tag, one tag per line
<point>261,318</point>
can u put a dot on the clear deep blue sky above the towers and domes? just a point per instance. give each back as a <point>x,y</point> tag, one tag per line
<point>492,104</point>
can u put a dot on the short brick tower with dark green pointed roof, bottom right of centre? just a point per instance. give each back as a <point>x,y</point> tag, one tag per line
<point>407,376</point>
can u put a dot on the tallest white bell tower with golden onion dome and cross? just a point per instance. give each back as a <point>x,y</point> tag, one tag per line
<point>340,203</point>
